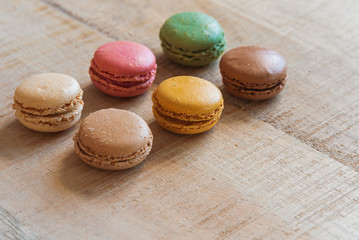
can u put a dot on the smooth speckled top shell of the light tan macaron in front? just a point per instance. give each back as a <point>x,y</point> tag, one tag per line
<point>114,132</point>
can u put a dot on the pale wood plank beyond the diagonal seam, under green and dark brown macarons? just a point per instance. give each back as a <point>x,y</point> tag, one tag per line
<point>320,105</point>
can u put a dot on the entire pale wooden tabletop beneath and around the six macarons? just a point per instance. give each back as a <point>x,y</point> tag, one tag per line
<point>286,168</point>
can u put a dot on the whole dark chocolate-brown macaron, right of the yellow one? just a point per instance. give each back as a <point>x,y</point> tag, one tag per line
<point>253,73</point>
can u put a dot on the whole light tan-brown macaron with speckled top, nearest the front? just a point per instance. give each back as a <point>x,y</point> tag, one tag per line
<point>113,139</point>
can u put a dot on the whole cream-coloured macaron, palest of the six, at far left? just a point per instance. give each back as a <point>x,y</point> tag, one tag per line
<point>48,102</point>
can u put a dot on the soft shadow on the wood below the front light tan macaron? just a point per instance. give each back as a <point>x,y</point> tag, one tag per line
<point>89,182</point>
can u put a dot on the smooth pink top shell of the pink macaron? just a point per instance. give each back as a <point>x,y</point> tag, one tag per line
<point>124,58</point>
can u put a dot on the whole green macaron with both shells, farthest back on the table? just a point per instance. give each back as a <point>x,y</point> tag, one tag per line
<point>192,39</point>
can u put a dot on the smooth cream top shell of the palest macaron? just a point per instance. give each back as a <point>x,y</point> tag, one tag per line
<point>47,90</point>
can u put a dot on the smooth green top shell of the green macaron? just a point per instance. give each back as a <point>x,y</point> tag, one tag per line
<point>191,31</point>
